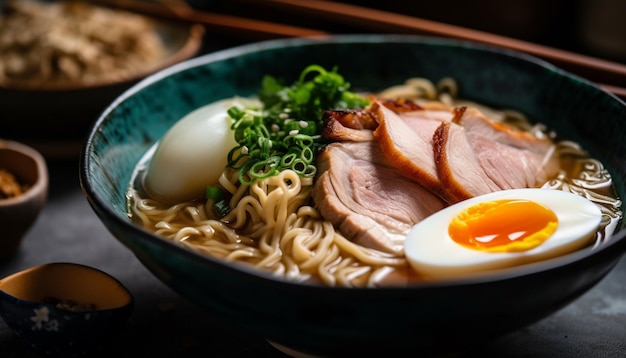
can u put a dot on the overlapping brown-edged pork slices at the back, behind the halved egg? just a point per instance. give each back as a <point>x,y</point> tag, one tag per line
<point>460,153</point>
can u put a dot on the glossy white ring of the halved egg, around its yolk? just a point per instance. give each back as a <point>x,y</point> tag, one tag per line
<point>433,254</point>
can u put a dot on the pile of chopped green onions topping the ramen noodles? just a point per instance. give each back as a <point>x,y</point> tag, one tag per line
<point>285,132</point>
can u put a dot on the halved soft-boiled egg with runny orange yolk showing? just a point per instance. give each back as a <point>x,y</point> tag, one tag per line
<point>501,230</point>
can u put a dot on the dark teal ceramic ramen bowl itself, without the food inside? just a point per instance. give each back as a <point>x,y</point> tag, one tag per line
<point>431,318</point>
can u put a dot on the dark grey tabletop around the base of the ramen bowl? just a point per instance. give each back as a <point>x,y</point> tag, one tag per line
<point>165,324</point>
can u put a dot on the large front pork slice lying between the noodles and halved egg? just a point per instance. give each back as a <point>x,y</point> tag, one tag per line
<point>370,203</point>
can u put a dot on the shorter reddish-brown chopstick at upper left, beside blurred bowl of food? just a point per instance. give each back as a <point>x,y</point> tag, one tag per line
<point>231,25</point>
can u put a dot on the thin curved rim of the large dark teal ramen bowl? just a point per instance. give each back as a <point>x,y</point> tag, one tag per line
<point>612,249</point>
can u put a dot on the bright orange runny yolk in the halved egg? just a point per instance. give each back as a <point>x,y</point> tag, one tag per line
<point>503,226</point>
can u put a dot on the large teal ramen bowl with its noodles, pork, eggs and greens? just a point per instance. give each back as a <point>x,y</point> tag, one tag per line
<point>336,188</point>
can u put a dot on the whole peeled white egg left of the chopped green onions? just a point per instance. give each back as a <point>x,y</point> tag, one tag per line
<point>193,153</point>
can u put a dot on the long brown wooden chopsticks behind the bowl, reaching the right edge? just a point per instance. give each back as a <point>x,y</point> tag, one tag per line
<point>609,75</point>
